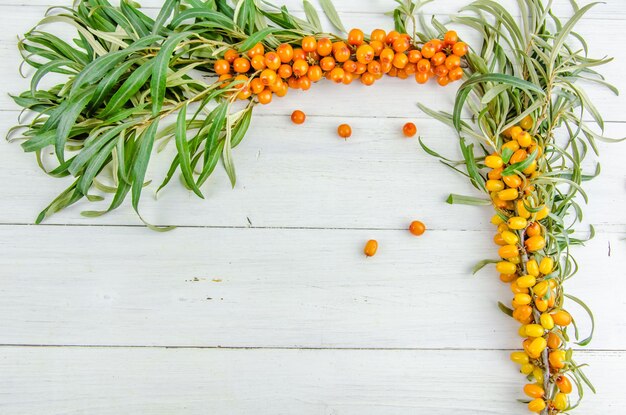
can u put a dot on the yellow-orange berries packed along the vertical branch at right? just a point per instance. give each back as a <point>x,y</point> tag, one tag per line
<point>532,279</point>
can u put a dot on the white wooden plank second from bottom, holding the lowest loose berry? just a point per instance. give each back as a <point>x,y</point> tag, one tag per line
<point>275,288</point>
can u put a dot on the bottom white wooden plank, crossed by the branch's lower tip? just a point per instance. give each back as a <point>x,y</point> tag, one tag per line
<point>48,381</point>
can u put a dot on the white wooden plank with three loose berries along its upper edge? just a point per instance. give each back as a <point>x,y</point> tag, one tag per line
<point>305,176</point>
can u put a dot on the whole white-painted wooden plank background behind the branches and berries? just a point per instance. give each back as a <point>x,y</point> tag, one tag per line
<point>261,302</point>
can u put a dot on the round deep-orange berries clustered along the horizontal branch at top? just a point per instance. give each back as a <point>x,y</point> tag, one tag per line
<point>264,74</point>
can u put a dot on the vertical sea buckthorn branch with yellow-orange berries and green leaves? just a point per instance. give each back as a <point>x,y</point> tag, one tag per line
<point>528,110</point>
